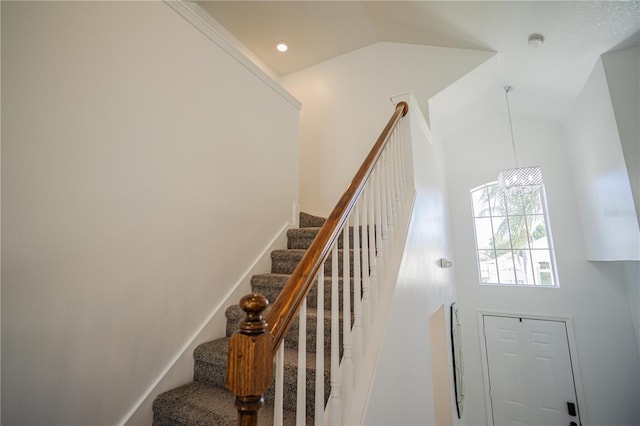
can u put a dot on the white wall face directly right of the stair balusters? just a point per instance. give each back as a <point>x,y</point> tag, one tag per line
<point>402,393</point>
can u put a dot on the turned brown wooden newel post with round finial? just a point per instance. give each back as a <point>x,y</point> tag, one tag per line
<point>250,364</point>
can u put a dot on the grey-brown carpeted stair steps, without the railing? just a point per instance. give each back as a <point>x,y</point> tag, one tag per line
<point>205,401</point>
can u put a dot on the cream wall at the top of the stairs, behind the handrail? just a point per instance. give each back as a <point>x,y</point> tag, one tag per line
<point>346,104</point>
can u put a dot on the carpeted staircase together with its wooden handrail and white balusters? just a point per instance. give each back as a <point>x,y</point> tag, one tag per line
<point>372,216</point>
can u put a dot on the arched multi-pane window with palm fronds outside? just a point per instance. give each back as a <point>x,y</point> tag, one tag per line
<point>513,238</point>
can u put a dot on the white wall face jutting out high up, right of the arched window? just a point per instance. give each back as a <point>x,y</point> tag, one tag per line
<point>601,181</point>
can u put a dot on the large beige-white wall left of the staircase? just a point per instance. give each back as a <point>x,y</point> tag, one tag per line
<point>134,196</point>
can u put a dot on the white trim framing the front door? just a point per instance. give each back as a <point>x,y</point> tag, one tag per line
<point>573,355</point>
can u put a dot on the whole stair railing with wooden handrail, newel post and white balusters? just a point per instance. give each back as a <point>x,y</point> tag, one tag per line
<point>365,217</point>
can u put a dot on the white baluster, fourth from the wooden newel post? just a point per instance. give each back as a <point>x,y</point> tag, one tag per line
<point>336,398</point>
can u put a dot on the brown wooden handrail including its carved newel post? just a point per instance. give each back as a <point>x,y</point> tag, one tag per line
<point>252,348</point>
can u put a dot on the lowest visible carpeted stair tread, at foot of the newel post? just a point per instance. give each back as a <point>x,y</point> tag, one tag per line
<point>197,404</point>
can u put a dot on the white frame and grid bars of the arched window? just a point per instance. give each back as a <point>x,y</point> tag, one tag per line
<point>538,281</point>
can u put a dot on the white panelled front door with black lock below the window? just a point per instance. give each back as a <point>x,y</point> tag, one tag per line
<point>530,375</point>
